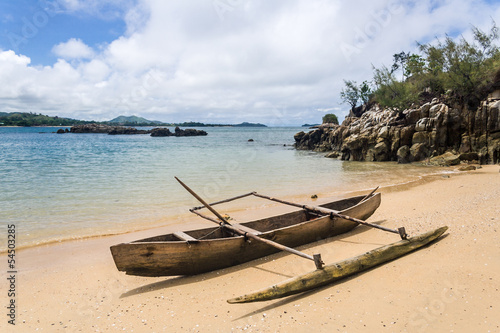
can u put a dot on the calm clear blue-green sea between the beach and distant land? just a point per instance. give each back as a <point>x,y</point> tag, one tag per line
<point>65,186</point>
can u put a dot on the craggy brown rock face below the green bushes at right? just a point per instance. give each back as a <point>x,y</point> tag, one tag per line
<point>413,135</point>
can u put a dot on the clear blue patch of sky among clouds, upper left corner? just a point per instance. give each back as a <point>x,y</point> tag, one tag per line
<point>33,27</point>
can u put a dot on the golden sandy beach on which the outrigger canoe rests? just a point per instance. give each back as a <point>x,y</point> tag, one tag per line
<point>450,286</point>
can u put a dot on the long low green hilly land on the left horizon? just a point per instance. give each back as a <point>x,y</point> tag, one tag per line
<point>29,119</point>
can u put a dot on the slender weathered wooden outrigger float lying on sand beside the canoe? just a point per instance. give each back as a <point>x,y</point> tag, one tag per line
<point>341,269</point>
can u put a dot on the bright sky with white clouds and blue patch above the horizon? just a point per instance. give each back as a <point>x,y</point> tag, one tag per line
<point>279,62</point>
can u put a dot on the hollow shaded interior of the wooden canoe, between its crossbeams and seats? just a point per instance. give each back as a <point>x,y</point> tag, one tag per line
<point>262,225</point>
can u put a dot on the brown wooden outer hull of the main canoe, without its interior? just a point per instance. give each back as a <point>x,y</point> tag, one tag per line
<point>161,256</point>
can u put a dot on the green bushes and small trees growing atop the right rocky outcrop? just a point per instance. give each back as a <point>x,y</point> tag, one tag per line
<point>461,71</point>
